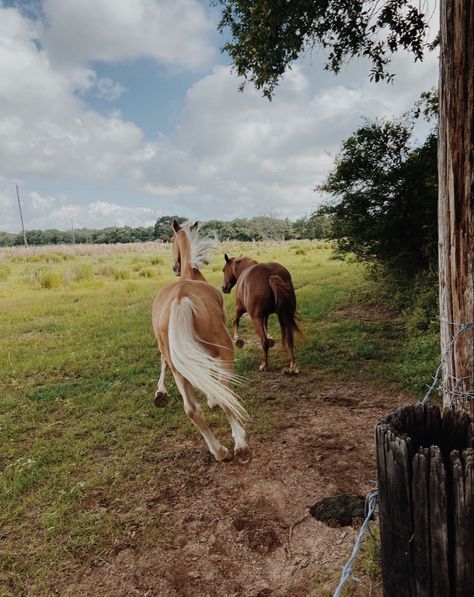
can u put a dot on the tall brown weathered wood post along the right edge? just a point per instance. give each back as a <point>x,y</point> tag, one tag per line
<point>456,199</point>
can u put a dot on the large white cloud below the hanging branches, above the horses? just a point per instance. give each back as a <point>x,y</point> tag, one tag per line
<point>237,154</point>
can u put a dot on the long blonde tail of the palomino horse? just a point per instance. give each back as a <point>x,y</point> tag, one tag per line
<point>194,363</point>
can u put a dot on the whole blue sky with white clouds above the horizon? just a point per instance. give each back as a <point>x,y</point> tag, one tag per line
<point>117,112</point>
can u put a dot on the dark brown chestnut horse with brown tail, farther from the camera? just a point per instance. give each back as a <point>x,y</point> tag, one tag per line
<point>262,289</point>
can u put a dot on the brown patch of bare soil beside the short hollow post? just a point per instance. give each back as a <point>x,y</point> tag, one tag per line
<point>246,530</point>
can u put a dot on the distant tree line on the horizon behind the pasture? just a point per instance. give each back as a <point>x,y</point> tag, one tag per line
<point>267,227</point>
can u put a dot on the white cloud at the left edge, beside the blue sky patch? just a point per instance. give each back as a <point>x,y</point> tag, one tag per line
<point>45,129</point>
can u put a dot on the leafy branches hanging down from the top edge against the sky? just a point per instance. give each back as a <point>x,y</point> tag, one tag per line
<point>267,36</point>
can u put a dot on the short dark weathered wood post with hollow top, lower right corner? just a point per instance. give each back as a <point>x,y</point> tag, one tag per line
<point>425,462</point>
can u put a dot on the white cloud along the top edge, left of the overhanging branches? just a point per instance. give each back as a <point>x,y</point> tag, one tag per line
<point>173,32</point>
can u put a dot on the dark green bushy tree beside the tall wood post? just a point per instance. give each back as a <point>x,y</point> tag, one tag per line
<point>384,207</point>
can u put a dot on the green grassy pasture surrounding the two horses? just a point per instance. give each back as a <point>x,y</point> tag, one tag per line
<point>78,371</point>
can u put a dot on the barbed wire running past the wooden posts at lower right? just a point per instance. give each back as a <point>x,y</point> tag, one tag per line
<point>372,497</point>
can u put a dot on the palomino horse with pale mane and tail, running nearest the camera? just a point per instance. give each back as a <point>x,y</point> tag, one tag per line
<point>189,325</point>
